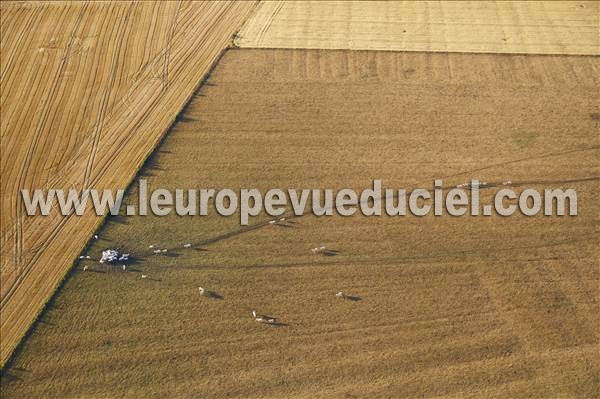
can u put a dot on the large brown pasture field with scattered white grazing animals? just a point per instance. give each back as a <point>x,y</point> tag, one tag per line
<point>444,306</point>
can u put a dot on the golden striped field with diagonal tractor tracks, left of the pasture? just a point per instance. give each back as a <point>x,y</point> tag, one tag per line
<point>87,91</point>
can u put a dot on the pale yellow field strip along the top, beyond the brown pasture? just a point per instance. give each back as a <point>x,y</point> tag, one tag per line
<point>536,27</point>
